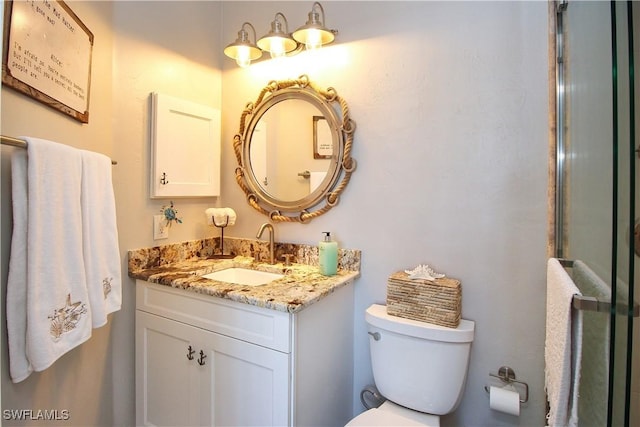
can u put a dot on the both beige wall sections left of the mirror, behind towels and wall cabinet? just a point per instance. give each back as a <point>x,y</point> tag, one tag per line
<point>140,47</point>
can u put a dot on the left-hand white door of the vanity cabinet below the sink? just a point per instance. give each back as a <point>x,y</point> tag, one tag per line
<point>166,380</point>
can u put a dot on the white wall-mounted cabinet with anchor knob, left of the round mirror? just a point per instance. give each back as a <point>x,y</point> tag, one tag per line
<point>185,149</point>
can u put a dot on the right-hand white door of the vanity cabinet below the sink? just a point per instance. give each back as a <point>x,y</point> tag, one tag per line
<point>248,384</point>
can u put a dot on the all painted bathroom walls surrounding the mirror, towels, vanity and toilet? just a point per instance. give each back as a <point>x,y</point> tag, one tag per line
<point>450,99</point>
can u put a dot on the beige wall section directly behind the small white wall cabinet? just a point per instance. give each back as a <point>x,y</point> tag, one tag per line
<point>171,48</point>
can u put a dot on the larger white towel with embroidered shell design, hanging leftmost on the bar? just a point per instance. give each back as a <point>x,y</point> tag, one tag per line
<point>48,310</point>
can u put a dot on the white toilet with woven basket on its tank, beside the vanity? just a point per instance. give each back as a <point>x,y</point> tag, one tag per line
<point>419,367</point>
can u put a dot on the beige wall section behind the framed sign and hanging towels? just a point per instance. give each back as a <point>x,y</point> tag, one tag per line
<point>78,377</point>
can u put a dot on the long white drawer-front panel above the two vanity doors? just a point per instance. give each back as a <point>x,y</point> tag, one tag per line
<point>257,325</point>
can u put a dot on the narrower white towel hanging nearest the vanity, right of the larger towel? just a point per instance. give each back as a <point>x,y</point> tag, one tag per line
<point>100,237</point>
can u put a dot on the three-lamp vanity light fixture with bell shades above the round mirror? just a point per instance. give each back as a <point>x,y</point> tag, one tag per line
<point>279,42</point>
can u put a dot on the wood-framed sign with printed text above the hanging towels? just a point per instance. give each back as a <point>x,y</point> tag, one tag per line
<point>47,55</point>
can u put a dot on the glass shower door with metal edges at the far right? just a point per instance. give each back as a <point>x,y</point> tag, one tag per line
<point>597,172</point>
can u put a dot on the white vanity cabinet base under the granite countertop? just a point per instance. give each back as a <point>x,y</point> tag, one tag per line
<point>202,360</point>
